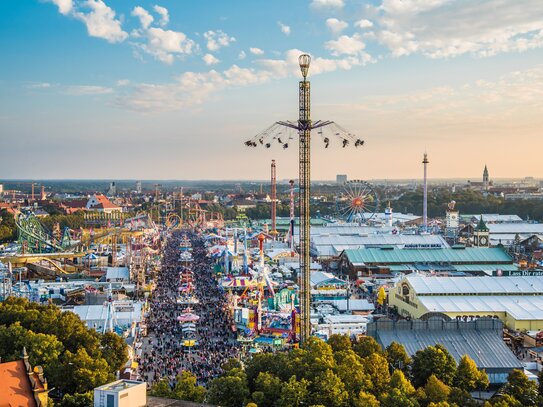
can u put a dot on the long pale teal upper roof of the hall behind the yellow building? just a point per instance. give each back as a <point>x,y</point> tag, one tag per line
<point>470,255</point>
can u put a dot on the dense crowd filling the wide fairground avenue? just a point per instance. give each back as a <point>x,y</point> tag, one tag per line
<point>166,355</point>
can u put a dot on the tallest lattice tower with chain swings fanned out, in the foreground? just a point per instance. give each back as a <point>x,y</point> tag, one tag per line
<point>281,132</point>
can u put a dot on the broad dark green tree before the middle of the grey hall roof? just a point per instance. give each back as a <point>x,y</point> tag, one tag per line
<point>434,360</point>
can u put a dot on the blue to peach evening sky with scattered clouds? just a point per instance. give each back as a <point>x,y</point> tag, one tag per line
<point>171,89</point>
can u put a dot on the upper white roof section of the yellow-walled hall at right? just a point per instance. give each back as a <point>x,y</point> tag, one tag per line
<point>529,285</point>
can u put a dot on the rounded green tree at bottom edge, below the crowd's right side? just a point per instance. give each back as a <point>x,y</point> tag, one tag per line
<point>228,391</point>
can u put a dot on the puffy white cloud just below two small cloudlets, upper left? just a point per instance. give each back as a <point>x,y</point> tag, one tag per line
<point>164,45</point>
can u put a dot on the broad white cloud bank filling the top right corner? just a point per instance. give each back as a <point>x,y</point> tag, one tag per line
<point>443,28</point>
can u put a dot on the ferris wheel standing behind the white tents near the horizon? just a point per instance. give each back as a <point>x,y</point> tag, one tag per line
<point>357,202</point>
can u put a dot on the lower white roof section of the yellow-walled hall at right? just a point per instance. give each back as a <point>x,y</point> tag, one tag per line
<point>520,307</point>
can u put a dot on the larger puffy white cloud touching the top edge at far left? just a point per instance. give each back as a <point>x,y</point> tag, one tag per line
<point>101,21</point>
